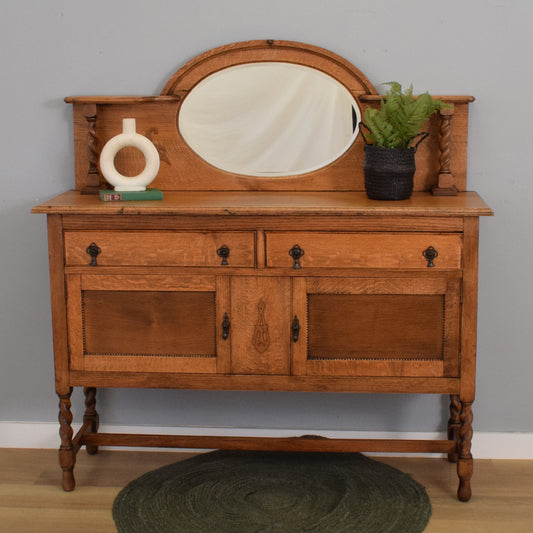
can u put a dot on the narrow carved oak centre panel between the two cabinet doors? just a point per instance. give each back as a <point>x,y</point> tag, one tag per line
<point>260,325</point>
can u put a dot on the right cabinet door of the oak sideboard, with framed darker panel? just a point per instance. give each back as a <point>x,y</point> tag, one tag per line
<point>378,327</point>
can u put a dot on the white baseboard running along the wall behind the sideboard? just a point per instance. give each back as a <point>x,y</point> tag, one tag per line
<point>485,445</point>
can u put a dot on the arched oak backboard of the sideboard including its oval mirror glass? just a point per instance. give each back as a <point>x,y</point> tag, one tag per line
<point>258,115</point>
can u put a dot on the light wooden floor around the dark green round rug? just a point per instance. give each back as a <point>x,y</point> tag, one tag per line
<point>31,498</point>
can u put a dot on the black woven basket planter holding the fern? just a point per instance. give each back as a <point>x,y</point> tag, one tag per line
<point>389,172</point>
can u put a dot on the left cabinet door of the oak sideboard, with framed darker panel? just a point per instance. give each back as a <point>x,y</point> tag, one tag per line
<point>145,323</point>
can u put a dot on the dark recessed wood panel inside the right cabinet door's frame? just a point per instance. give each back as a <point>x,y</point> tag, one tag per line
<point>387,326</point>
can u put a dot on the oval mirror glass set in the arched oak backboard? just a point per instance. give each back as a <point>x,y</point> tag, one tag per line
<point>269,119</point>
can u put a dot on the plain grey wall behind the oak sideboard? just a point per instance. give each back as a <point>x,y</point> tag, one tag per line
<point>62,47</point>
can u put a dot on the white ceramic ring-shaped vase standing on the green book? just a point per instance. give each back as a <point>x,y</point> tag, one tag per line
<point>129,137</point>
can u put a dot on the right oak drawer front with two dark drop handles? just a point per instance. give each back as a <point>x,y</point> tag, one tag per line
<point>363,250</point>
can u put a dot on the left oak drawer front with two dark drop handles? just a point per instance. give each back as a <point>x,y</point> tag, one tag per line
<point>129,248</point>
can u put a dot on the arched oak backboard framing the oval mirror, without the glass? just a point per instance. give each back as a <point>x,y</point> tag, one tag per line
<point>97,119</point>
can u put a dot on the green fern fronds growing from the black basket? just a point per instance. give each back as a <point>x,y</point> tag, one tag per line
<point>400,116</point>
